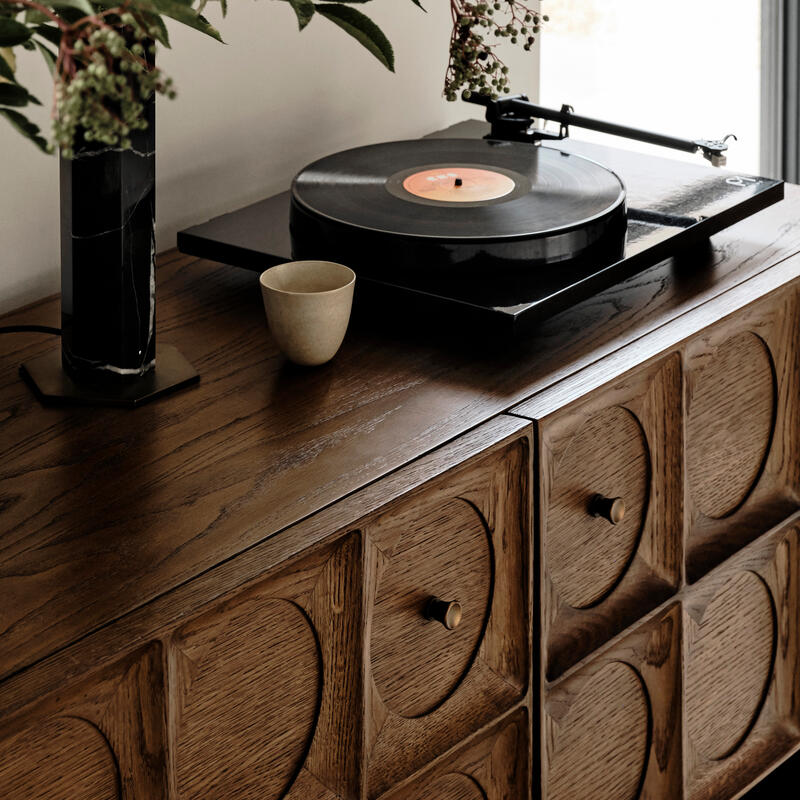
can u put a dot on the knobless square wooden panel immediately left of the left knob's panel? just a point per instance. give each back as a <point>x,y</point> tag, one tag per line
<point>266,688</point>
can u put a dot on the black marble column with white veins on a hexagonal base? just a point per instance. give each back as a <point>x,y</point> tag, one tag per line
<point>108,258</point>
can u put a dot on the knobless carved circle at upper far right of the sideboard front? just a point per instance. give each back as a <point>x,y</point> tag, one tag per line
<point>729,424</point>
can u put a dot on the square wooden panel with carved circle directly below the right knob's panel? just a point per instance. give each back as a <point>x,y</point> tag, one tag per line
<point>611,730</point>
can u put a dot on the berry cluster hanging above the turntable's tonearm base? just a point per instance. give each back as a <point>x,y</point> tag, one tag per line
<point>478,27</point>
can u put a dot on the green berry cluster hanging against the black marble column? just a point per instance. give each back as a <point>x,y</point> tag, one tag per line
<point>106,74</point>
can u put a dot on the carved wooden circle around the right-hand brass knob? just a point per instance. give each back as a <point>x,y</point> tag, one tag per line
<point>586,554</point>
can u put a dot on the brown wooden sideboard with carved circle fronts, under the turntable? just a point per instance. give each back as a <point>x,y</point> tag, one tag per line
<point>564,568</point>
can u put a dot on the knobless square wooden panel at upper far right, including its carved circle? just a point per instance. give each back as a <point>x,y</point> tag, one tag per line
<point>742,430</point>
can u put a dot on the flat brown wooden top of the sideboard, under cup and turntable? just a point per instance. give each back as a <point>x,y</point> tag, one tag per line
<point>103,510</point>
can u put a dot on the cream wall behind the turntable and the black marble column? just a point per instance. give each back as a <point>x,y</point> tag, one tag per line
<point>248,116</point>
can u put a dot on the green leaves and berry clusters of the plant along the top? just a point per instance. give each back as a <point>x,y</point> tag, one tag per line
<point>101,56</point>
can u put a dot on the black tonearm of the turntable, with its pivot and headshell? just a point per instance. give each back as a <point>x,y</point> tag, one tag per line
<point>512,119</point>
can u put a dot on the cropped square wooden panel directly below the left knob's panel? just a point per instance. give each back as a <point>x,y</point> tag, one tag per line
<point>494,766</point>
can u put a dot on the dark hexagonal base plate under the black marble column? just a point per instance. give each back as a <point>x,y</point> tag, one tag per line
<point>53,386</point>
